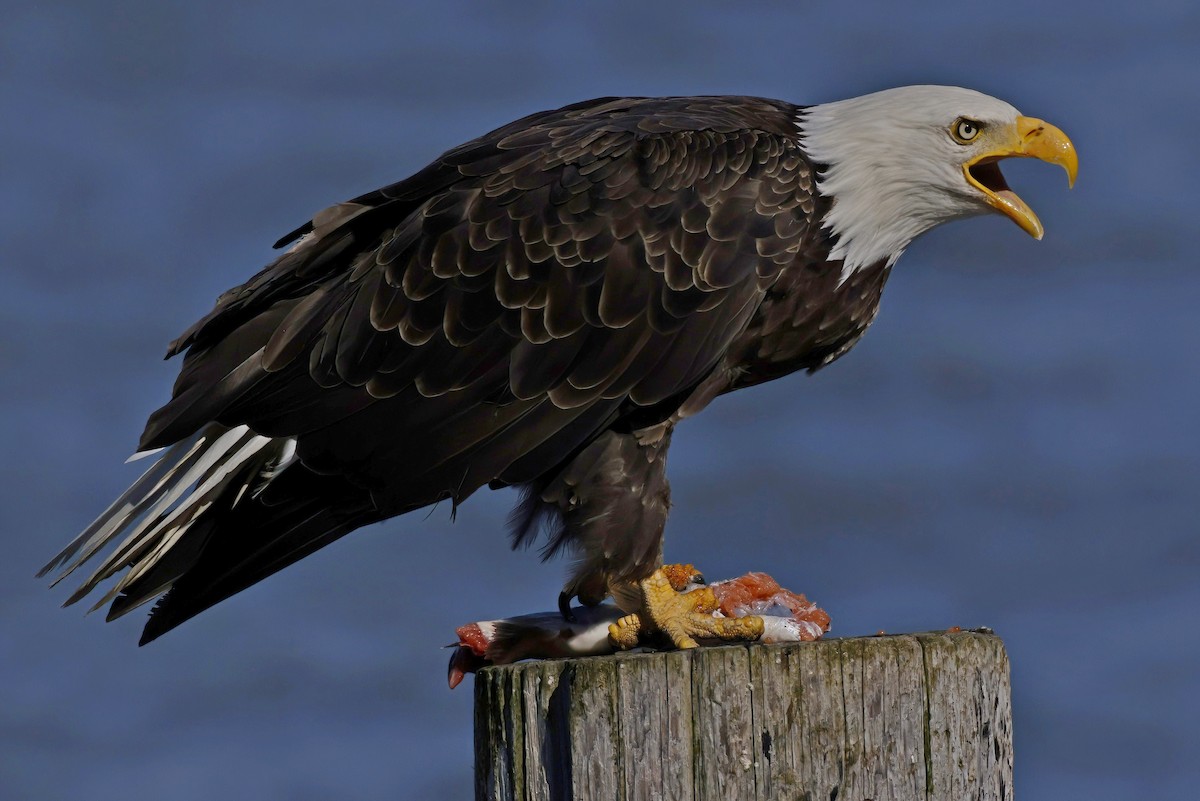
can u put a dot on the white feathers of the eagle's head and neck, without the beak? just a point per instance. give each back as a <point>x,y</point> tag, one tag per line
<point>892,166</point>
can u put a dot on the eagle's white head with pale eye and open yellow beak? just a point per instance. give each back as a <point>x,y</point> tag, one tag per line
<point>903,161</point>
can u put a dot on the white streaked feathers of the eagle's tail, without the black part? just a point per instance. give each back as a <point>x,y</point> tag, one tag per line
<point>161,507</point>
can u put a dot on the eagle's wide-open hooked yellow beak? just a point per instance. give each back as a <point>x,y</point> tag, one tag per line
<point>1030,138</point>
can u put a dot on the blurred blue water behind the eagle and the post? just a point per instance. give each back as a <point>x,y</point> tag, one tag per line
<point>1013,444</point>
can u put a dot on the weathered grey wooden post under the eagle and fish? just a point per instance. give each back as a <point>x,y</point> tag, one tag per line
<point>880,719</point>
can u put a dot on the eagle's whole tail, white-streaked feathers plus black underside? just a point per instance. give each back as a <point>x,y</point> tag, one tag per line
<point>203,492</point>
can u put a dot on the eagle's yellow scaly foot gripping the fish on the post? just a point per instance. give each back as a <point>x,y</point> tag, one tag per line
<point>682,617</point>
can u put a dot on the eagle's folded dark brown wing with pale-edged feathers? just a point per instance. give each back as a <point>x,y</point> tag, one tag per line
<point>483,320</point>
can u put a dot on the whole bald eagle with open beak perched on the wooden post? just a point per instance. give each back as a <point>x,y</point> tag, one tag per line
<point>538,309</point>
